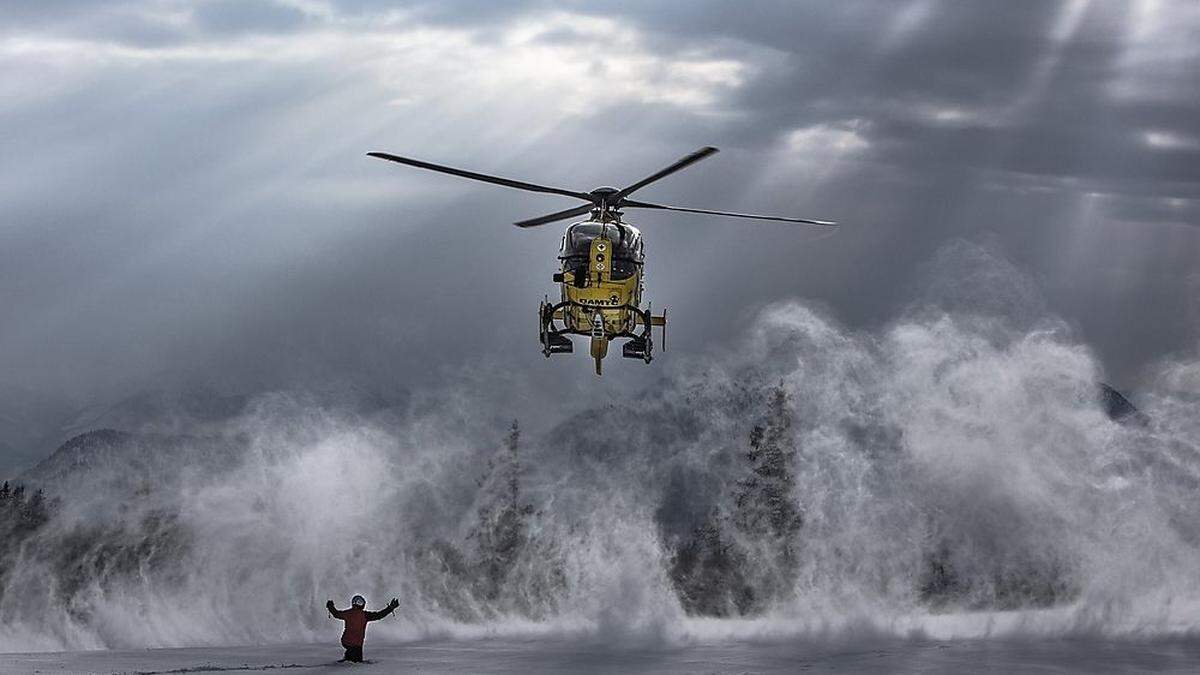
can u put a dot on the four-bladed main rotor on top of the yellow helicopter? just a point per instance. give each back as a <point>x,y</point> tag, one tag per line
<point>608,201</point>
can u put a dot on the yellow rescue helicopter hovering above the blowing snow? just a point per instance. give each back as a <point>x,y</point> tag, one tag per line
<point>602,262</point>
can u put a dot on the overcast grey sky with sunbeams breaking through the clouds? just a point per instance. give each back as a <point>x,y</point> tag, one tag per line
<point>185,196</point>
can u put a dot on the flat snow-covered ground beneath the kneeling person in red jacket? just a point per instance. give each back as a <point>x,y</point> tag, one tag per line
<point>562,656</point>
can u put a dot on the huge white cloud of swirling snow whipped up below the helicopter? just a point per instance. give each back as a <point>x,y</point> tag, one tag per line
<point>957,461</point>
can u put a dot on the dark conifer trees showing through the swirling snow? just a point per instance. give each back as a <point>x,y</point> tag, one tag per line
<point>741,558</point>
